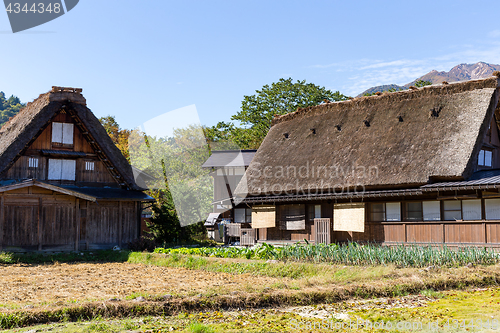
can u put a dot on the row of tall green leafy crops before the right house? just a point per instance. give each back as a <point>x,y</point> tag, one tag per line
<point>352,254</point>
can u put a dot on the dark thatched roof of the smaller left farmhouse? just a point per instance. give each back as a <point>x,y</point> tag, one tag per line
<point>19,132</point>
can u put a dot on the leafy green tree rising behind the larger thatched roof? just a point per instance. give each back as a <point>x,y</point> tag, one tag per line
<point>258,110</point>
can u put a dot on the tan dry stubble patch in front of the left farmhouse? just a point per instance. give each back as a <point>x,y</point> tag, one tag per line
<point>59,284</point>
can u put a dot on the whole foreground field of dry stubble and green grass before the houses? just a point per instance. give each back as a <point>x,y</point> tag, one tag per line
<point>159,292</point>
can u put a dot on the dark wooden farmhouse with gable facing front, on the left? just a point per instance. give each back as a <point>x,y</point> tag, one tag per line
<point>64,185</point>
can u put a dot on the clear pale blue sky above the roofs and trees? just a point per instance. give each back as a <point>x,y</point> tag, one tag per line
<point>139,59</point>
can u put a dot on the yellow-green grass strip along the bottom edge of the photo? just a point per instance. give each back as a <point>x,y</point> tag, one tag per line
<point>449,309</point>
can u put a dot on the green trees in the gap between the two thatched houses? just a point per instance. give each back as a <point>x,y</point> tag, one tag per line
<point>182,189</point>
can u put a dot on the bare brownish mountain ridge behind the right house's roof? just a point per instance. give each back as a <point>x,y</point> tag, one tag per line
<point>462,72</point>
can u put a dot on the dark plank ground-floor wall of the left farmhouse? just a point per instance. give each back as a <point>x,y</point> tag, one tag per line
<point>34,219</point>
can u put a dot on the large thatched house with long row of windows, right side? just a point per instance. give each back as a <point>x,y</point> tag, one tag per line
<point>413,167</point>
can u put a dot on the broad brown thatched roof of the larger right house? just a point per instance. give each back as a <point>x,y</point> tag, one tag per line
<point>400,139</point>
